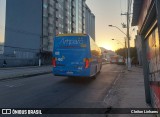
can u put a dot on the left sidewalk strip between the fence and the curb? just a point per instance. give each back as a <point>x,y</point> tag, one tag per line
<point>15,72</point>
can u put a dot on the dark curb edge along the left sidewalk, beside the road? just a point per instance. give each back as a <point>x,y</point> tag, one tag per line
<point>24,75</point>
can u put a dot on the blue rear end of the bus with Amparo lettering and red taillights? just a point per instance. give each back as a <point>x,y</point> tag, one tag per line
<point>71,56</point>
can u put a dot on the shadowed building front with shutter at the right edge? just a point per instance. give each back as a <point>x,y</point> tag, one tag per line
<point>146,15</point>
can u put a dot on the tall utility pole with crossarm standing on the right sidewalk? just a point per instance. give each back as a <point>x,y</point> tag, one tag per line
<point>128,37</point>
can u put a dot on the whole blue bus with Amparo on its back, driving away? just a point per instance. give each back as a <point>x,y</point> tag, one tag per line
<point>76,55</point>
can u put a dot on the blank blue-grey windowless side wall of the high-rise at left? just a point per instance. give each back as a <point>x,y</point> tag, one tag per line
<point>23,25</point>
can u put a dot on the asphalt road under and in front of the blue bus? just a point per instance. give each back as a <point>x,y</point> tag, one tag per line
<point>48,91</point>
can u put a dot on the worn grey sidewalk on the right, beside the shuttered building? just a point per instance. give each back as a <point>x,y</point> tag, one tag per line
<point>128,92</point>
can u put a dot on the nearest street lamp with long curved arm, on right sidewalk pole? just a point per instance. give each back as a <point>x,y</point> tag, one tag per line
<point>127,35</point>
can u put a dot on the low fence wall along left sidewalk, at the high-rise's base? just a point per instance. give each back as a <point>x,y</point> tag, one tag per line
<point>15,56</point>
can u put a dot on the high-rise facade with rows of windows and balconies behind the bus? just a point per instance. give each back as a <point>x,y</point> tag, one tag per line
<point>62,16</point>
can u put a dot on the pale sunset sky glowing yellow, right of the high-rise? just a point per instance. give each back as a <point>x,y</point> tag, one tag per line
<point>108,12</point>
